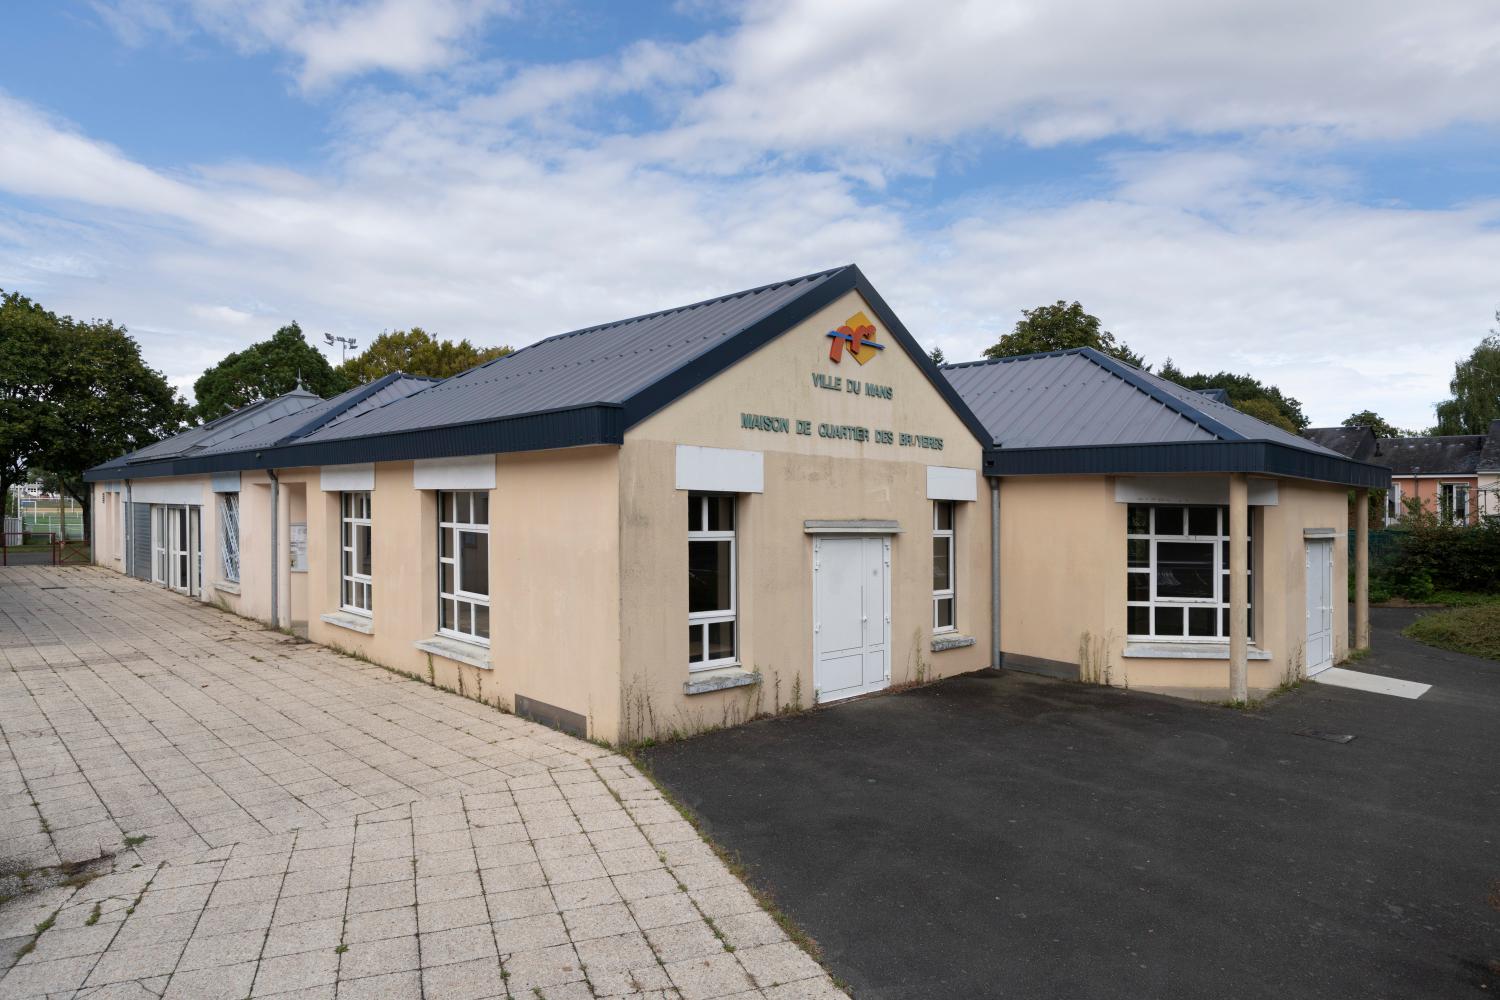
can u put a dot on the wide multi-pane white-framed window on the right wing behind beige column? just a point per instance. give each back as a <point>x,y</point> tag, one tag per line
<point>1177,573</point>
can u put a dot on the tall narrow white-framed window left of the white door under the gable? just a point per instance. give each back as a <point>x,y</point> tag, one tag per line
<point>712,590</point>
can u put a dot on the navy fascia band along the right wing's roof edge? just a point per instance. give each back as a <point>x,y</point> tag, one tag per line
<point>1262,458</point>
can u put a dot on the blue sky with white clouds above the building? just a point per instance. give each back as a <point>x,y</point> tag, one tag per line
<point>1309,194</point>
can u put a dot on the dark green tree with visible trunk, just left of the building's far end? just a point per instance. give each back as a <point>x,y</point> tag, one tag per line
<point>109,403</point>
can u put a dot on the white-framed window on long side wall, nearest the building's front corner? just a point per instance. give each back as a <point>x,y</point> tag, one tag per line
<point>464,566</point>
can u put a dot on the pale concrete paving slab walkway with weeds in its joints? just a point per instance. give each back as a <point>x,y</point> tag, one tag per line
<point>278,819</point>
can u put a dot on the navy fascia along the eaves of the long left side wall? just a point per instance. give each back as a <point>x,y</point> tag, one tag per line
<point>569,428</point>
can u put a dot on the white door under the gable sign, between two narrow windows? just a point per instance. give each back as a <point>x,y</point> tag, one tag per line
<point>851,617</point>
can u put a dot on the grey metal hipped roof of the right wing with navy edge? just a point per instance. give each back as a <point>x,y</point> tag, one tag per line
<point>1085,413</point>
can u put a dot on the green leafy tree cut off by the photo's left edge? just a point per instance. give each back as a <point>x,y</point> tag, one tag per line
<point>28,358</point>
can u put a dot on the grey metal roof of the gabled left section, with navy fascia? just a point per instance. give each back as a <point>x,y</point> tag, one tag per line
<point>575,389</point>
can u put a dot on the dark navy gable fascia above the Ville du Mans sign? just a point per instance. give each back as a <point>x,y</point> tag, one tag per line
<point>706,367</point>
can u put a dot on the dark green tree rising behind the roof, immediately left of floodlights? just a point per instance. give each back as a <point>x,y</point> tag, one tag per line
<point>265,371</point>
